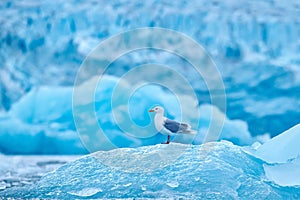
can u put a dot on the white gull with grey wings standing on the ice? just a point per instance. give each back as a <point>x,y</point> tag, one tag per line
<point>167,126</point>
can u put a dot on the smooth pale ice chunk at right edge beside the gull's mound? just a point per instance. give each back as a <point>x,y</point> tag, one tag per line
<point>282,157</point>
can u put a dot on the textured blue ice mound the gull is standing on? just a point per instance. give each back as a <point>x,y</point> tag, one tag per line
<point>217,170</point>
